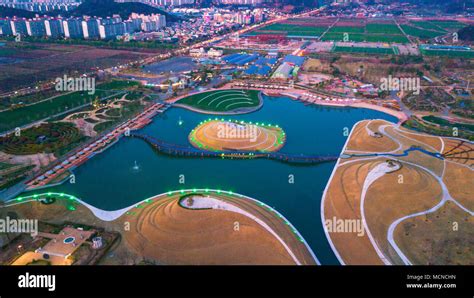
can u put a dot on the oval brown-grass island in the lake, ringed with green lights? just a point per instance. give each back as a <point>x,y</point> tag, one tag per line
<point>225,135</point>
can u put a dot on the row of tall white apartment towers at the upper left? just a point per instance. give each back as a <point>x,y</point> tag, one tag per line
<point>84,27</point>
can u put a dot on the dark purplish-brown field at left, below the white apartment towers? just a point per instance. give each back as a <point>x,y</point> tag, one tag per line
<point>44,62</point>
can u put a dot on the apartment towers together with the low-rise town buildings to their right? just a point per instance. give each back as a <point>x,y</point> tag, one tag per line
<point>202,23</point>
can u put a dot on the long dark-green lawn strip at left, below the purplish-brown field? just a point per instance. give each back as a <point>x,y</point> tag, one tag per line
<point>27,114</point>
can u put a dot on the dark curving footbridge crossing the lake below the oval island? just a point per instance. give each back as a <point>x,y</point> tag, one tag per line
<point>188,151</point>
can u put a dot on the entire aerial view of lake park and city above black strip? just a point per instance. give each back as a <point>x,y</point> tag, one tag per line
<point>236,132</point>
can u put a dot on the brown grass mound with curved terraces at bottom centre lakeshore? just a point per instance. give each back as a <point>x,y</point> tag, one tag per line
<point>165,231</point>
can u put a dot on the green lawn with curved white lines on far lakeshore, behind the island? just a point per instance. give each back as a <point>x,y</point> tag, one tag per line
<point>223,100</point>
